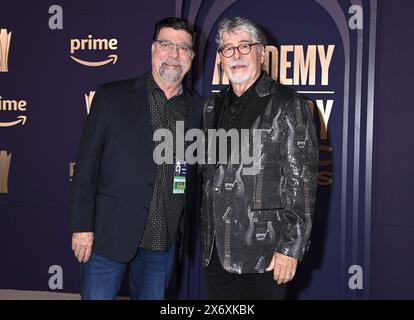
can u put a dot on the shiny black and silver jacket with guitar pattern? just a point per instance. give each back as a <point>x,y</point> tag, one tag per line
<point>251,216</point>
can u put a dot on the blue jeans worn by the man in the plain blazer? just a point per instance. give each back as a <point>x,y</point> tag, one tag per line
<point>150,272</point>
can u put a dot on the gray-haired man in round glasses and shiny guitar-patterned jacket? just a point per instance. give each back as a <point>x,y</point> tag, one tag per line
<point>257,219</point>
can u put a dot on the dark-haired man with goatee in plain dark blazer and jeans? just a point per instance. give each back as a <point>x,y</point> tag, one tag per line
<point>125,208</point>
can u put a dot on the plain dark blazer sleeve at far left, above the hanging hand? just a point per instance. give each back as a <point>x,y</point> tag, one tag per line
<point>86,173</point>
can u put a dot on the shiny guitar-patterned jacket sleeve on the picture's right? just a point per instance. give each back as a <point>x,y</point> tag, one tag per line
<point>299,157</point>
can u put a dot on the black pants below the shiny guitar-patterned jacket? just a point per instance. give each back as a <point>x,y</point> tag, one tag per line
<point>222,285</point>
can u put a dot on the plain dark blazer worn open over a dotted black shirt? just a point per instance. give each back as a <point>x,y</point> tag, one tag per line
<point>114,173</point>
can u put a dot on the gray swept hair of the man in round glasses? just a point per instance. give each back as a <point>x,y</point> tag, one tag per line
<point>240,24</point>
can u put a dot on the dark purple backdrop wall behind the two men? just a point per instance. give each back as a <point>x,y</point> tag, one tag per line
<point>363,219</point>
